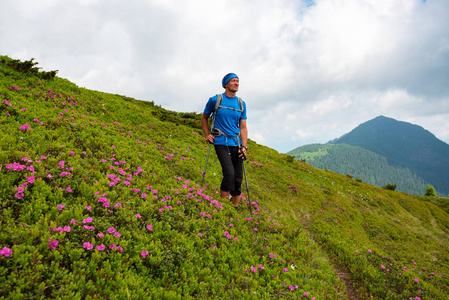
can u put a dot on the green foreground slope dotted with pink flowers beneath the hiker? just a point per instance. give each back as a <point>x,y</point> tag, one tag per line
<point>100,198</point>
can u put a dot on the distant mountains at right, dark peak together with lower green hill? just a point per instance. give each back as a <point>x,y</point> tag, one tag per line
<point>410,151</point>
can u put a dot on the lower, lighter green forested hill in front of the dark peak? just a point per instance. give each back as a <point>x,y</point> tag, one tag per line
<point>360,163</point>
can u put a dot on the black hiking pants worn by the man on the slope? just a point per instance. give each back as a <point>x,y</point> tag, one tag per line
<point>231,165</point>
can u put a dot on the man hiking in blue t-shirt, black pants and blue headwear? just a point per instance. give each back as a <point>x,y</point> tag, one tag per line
<point>229,135</point>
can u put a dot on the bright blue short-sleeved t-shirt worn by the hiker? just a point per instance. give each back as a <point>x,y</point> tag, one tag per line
<point>227,120</point>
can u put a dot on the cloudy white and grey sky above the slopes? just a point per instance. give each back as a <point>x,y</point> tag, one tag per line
<point>310,71</point>
